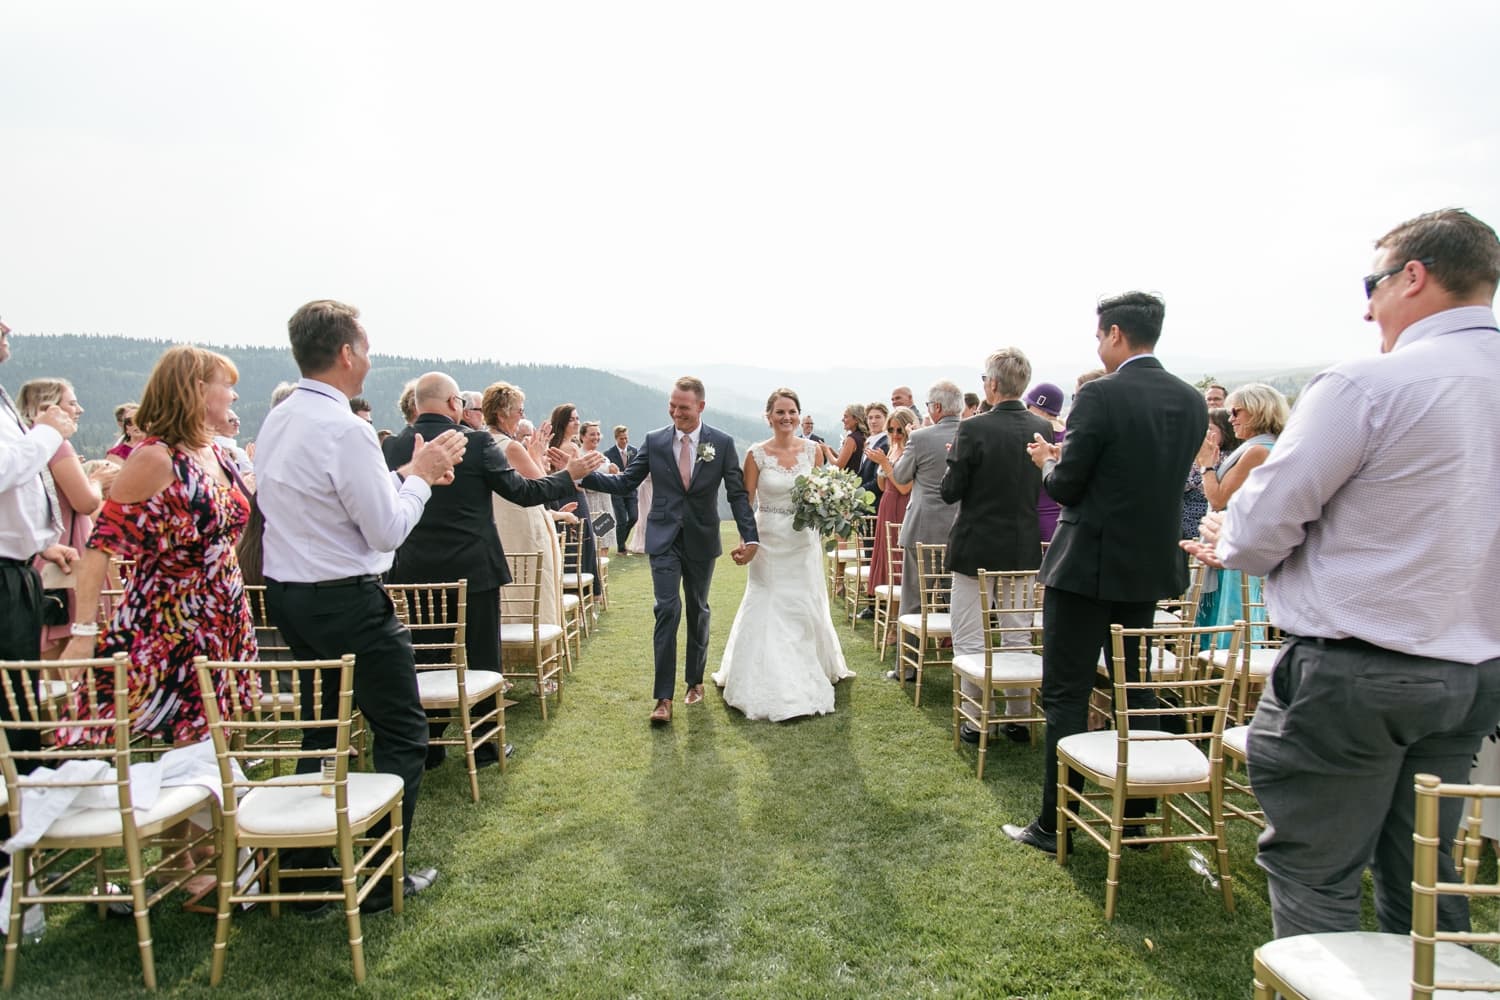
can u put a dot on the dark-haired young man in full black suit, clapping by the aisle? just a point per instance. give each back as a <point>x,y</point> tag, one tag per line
<point>1132,437</point>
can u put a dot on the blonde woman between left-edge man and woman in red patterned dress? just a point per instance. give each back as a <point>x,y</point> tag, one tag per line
<point>79,500</point>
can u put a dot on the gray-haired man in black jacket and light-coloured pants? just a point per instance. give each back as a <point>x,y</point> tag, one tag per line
<point>995,485</point>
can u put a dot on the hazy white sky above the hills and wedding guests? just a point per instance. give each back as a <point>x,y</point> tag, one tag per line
<point>794,184</point>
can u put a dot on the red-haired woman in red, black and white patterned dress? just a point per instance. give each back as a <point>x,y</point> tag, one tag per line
<point>178,509</point>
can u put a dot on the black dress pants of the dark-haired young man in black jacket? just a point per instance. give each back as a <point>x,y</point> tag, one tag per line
<point>1076,629</point>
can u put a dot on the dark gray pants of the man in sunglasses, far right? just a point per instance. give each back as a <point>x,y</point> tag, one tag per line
<point>1336,746</point>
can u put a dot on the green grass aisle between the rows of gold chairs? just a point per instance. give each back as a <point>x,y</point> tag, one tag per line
<point>853,855</point>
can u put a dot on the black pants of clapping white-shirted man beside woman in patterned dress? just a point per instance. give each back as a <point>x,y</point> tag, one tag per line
<point>325,623</point>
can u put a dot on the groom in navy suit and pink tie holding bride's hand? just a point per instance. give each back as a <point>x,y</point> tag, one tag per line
<point>686,464</point>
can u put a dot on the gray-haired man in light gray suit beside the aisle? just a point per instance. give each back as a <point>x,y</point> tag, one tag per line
<point>929,519</point>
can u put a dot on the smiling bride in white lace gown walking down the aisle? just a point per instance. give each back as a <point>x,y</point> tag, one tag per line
<point>784,654</point>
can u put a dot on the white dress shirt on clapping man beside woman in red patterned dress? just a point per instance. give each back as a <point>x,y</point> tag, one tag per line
<point>332,507</point>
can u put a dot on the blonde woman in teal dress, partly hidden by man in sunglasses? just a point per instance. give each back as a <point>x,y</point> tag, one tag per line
<point>1258,415</point>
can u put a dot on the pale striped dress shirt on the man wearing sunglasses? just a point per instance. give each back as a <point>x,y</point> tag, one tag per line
<point>1378,515</point>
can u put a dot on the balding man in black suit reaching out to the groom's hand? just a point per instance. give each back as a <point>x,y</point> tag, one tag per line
<point>457,537</point>
